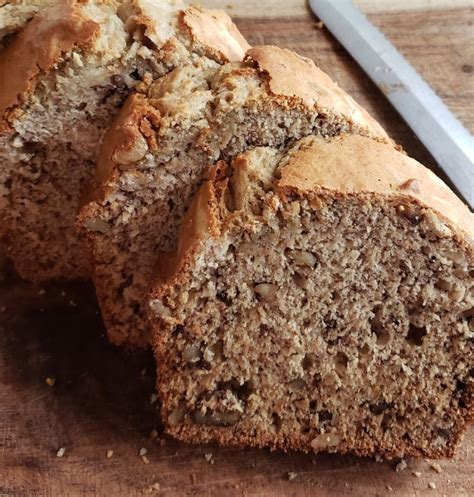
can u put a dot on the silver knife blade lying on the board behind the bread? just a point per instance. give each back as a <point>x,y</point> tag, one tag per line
<point>438,129</point>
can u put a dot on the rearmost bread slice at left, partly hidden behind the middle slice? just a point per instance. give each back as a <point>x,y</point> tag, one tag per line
<point>62,80</point>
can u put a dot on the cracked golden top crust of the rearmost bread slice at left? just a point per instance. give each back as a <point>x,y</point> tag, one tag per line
<point>75,24</point>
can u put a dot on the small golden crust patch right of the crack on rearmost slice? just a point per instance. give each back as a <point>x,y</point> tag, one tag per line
<point>215,30</point>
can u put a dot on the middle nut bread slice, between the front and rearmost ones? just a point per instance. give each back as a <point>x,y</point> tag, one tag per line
<point>161,143</point>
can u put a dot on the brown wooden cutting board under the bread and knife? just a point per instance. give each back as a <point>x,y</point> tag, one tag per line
<point>102,397</point>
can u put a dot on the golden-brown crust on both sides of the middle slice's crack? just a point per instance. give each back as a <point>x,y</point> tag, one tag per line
<point>292,80</point>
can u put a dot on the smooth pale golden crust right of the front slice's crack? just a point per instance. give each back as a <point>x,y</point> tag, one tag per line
<point>356,165</point>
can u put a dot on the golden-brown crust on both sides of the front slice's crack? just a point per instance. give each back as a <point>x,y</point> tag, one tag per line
<point>344,165</point>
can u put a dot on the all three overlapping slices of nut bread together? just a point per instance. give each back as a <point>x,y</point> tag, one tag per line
<point>304,285</point>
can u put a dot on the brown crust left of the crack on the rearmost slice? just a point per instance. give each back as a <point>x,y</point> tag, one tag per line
<point>37,48</point>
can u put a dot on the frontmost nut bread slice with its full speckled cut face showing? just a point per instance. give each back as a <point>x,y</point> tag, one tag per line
<point>322,300</point>
